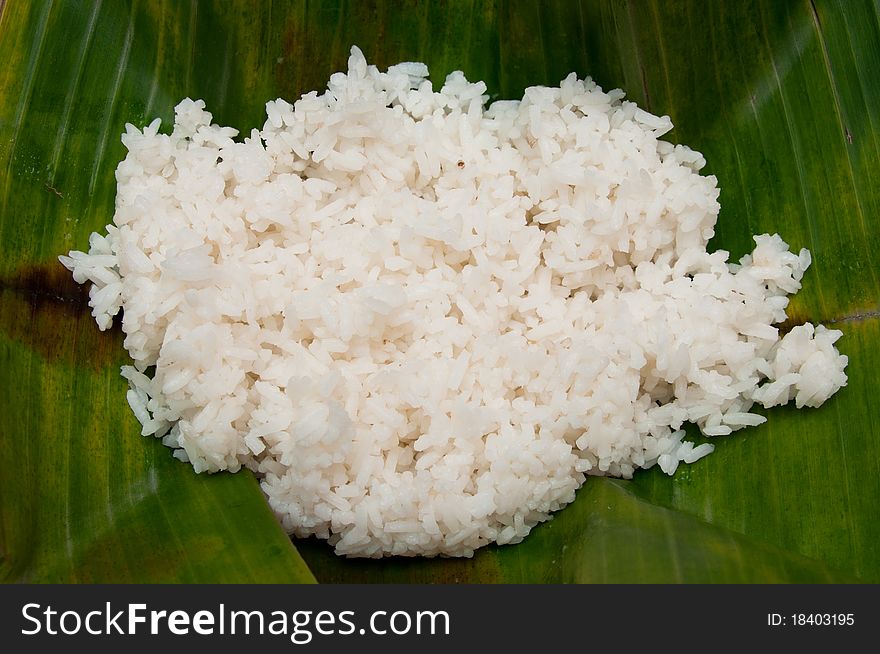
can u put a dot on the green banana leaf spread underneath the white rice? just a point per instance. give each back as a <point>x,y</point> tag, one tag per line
<point>783,98</point>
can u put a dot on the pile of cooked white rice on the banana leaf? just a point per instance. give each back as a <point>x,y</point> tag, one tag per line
<point>422,321</point>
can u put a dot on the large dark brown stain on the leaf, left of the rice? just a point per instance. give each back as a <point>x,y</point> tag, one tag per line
<point>43,308</point>
